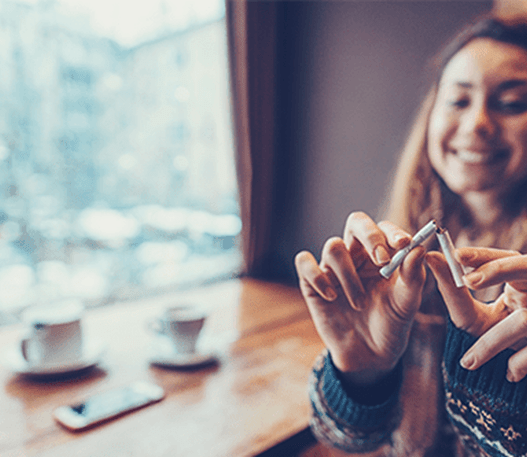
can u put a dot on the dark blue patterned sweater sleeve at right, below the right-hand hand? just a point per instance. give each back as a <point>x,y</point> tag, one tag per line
<point>489,412</point>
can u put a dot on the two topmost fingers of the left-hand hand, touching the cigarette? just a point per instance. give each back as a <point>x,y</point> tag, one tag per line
<point>377,240</point>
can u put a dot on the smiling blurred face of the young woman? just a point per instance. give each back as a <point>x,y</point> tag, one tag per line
<point>477,133</point>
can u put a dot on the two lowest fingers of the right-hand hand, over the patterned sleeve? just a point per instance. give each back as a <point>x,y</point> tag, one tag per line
<point>503,335</point>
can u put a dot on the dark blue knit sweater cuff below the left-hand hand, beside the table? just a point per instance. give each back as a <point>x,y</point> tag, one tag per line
<point>354,420</point>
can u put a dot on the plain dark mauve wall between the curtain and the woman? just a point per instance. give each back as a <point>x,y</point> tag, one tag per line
<point>350,75</point>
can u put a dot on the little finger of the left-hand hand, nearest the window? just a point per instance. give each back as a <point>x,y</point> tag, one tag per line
<point>313,281</point>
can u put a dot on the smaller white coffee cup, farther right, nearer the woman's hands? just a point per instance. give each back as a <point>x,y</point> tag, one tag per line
<point>183,325</point>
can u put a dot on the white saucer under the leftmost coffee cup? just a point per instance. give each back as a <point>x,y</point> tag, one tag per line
<point>13,359</point>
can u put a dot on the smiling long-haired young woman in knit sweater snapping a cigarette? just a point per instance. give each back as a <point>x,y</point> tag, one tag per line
<point>415,365</point>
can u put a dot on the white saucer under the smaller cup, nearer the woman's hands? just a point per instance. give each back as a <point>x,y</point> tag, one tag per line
<point>165,354</point>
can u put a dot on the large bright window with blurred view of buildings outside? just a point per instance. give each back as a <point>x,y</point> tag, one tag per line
<point>116,159</point>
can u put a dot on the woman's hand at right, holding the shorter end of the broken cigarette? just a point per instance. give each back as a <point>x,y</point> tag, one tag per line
<point>499,325</point>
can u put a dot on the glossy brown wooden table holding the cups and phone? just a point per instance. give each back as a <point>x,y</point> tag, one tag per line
<point>253,399</point>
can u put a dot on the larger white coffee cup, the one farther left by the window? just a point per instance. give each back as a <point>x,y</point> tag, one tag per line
<point>54,334</point>
